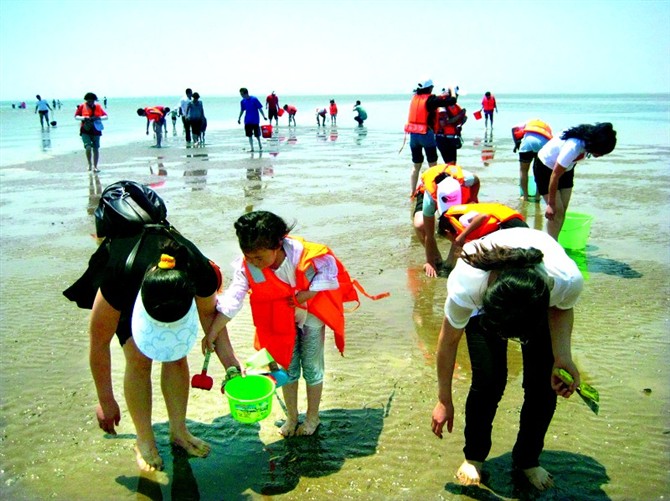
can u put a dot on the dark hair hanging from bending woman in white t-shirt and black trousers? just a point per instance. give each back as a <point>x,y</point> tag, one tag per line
<point>515,304</point>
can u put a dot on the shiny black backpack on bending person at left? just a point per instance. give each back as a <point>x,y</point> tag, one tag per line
<point>125,207</point>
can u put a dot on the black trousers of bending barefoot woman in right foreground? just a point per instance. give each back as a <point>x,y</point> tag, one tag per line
<point>488,354</point>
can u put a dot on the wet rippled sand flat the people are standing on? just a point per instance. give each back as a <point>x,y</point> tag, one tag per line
<point>348,189</point>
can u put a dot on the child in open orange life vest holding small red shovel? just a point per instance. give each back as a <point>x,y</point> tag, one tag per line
<point>295,293</point>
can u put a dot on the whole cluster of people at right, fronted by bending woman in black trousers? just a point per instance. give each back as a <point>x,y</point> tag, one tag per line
<point>506,281</point>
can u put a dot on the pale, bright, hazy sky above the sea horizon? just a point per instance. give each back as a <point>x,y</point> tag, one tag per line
<point>123,48</point>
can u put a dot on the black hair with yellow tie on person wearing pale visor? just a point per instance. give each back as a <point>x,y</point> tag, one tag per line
<point>167,294</point>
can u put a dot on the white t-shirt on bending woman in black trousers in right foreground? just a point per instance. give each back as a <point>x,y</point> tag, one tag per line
<point>466,284</point>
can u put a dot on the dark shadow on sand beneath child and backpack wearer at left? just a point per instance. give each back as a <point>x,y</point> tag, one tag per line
<point>240,462</point>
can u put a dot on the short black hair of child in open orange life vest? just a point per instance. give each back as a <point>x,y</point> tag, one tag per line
<point>261,230</point>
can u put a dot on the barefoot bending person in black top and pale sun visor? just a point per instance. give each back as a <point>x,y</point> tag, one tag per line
<point>154,305</point>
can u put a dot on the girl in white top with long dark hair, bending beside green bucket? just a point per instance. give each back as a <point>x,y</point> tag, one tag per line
<point>554,167</point>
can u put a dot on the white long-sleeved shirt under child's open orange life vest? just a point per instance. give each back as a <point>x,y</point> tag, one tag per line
<point>231,301</point>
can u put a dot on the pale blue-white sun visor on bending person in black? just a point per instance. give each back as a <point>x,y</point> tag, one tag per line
<point>164,341</point>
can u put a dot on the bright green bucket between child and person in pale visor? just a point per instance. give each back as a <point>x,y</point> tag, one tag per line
<point>250,397</point>
